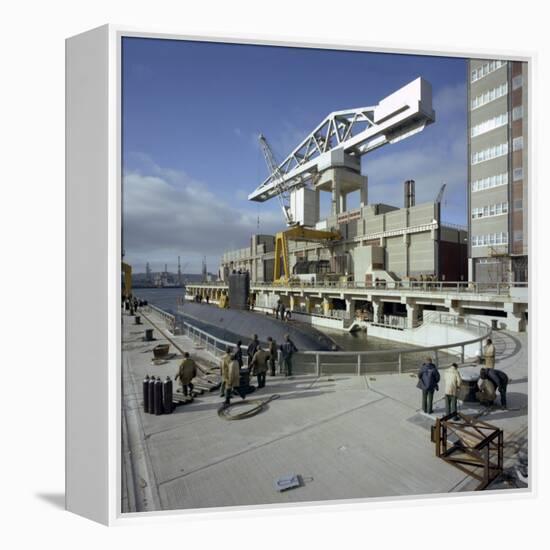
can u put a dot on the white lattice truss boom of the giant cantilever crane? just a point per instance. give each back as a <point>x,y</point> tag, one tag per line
<point>355,132</point>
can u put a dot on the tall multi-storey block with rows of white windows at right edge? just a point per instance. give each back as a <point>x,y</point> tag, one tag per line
<point>497,170</point>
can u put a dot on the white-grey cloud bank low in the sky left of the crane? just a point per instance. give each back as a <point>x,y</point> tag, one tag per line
<point>166,214</point>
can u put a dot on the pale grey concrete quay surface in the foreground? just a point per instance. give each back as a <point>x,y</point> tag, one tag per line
<point>346,436</point>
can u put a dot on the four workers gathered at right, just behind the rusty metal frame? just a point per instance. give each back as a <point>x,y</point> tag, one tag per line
<point>490,380</point>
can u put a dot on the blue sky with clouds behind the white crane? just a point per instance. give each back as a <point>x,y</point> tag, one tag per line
<point>191,115</point>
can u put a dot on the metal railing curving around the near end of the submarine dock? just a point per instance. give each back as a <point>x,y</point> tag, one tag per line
<point>384,361</point>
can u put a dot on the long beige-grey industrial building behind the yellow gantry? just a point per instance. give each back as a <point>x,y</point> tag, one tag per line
<point>379,242</point>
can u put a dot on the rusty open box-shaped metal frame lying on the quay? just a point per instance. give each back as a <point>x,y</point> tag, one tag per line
<point>477,451</point>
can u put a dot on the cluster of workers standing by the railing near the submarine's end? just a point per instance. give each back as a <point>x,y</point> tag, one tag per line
<point>260,360</point>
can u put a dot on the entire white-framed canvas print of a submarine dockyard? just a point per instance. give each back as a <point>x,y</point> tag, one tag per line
<point>296,273</point>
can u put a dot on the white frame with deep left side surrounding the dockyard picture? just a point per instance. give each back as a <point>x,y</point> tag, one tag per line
<point>93,252</point>
